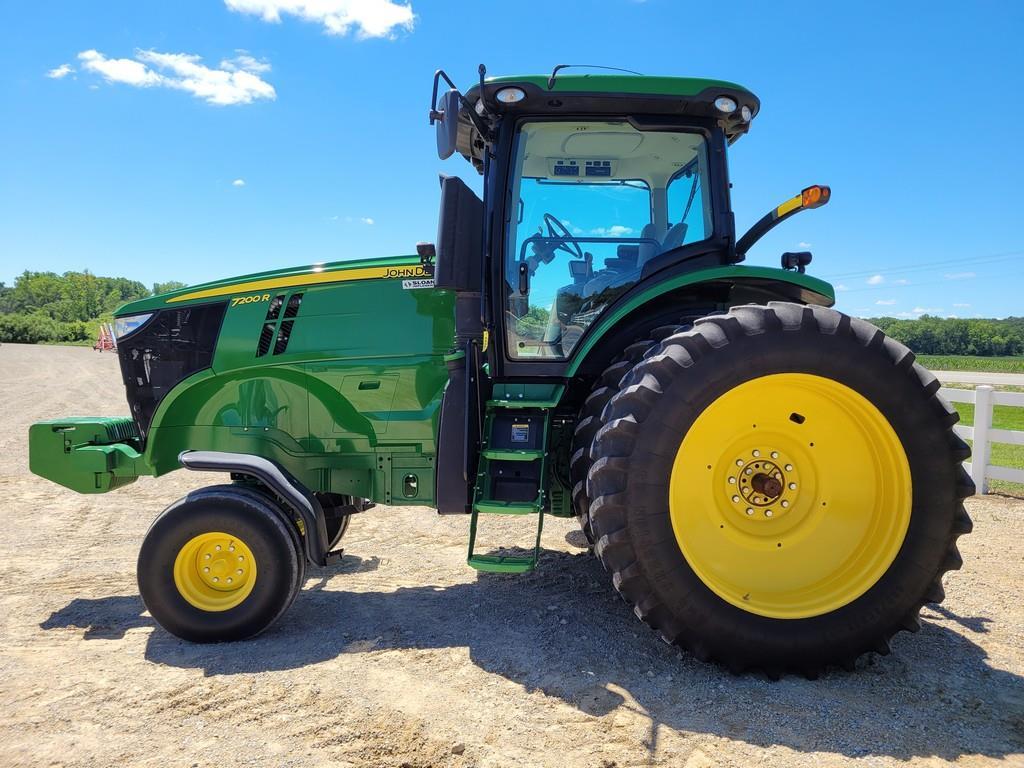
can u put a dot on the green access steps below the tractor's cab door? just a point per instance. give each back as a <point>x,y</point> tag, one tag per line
<point>513,471</point>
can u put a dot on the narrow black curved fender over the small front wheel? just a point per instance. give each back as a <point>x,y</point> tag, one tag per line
<point>276,478</point>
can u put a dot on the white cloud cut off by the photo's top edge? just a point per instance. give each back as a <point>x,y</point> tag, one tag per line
<point>369,19</point>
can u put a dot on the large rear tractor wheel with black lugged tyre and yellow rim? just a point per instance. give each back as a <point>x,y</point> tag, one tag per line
<point>779,488</point>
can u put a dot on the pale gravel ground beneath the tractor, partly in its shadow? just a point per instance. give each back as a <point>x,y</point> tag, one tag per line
<point>404,657</point>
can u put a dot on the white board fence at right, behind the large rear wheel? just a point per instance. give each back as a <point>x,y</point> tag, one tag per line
<point>984,435</point>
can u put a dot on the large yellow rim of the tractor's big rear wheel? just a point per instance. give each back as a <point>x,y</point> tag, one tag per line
<point>791,496</point>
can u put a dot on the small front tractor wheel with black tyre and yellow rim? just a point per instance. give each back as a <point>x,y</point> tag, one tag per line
<point>221,565</point>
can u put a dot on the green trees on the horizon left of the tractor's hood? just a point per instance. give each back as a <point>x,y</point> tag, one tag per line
<point>66,309</point>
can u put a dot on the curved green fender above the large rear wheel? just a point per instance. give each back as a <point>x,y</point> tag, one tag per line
<point>795,286</point>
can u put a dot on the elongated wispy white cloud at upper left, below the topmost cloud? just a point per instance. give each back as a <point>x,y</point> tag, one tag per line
<point>186,72</point>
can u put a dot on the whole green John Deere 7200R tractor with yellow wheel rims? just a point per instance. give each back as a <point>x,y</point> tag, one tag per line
<point>772,484</point>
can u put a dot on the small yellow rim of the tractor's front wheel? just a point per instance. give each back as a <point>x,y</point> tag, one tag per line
<point>216,572</point>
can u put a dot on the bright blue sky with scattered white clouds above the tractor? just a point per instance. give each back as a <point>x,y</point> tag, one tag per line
<point>193,141</point>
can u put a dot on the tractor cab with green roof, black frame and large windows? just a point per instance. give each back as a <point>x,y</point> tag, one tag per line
<point>592,184</point>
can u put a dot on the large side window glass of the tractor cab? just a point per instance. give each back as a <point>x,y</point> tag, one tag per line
<point>596,201</point>
